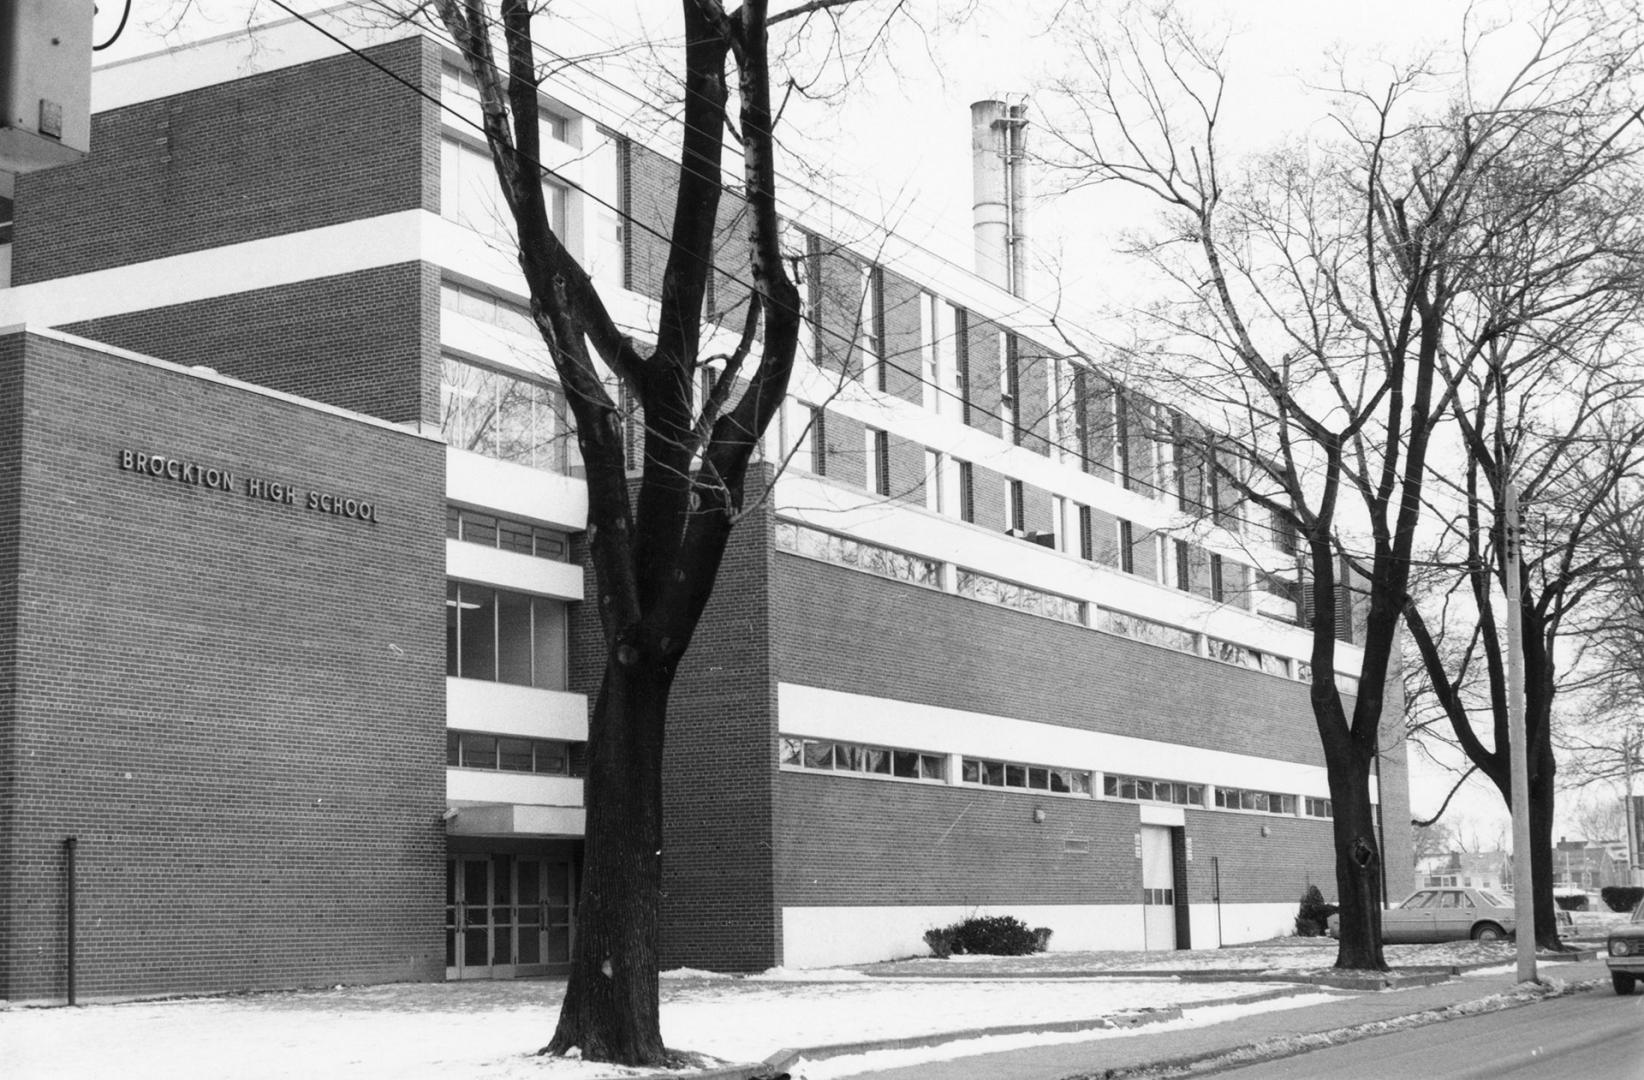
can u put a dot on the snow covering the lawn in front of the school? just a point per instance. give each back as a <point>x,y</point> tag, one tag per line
<point>489,1032</point>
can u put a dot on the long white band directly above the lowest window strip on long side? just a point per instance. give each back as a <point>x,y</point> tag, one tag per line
<point>862,719</point>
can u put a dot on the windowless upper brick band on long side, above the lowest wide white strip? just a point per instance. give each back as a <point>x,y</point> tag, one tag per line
<point>910,644</point>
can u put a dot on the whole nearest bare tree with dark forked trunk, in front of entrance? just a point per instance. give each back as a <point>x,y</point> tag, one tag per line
<point>657,545</point>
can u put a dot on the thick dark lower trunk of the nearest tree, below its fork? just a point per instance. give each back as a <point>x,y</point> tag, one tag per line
<point>611,1010</point>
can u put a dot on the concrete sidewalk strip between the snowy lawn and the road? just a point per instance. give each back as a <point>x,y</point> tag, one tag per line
<point>1178,1050</point>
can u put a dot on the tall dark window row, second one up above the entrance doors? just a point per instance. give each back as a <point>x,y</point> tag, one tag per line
<point>506,637</point>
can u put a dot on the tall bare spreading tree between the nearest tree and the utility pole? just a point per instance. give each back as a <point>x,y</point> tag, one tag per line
<point>1318,305</point>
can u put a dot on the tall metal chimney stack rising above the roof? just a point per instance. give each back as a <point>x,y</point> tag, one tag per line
<point>999,147</point>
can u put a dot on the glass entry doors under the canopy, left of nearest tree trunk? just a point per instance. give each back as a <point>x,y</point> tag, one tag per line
<point>507,915</point>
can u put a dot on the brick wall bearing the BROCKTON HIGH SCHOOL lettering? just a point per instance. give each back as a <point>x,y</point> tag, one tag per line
<point>238,706</point>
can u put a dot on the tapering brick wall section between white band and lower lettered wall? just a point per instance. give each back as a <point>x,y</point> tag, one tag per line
<point>366,341</point>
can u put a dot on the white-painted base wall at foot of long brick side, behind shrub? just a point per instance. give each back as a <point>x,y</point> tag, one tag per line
<point>818,938</point>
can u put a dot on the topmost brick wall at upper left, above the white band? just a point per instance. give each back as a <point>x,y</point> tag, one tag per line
<point>267,155</point>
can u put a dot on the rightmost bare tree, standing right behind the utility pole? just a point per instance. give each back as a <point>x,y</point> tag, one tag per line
<point>1556,408</point>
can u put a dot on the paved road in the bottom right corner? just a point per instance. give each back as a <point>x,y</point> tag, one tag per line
<point>1592,1035</point>
